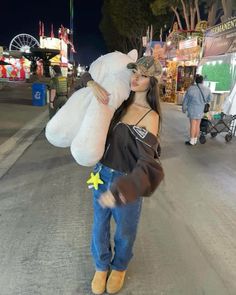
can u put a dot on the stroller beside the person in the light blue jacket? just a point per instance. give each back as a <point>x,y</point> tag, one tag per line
<point>221,123</point>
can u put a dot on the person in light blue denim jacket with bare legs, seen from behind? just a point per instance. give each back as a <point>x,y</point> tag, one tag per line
<point>194,102</point>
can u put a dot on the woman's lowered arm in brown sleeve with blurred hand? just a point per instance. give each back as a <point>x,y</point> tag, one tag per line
<point>142,181</point>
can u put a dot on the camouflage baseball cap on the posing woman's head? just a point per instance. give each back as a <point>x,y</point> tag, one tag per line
<point>147,65</point>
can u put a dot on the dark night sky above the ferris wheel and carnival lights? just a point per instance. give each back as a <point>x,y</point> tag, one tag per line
<point>23,17</point>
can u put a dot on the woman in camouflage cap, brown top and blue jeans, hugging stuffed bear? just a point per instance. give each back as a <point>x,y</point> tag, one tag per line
<point>128,170</point>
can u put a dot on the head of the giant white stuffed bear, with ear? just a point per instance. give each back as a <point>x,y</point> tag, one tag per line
<point>111,63</point>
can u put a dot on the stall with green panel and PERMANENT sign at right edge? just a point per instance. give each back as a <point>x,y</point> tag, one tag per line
<point>218,65</point>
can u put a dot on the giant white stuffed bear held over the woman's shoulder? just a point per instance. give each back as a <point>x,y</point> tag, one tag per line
<point>82,123</point>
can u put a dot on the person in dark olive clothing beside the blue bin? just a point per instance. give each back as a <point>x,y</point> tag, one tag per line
<point>58,91</point>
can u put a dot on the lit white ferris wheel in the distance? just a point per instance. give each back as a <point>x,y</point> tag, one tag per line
<point>23,43</point>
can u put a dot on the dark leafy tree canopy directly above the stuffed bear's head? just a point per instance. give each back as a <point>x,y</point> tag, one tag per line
<point>125,22</point>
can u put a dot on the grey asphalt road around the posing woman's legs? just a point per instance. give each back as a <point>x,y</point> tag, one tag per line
<point>186,243</point>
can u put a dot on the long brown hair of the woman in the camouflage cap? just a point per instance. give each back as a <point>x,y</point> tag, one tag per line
<point>153,99</point>
